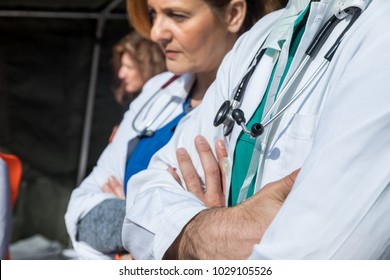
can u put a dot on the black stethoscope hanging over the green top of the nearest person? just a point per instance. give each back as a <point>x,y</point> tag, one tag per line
<point>229,112</point>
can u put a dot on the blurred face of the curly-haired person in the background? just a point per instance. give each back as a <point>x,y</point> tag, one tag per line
<point>130,75</point>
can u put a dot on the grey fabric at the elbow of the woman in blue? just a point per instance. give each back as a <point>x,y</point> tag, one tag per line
<point>101,228</point>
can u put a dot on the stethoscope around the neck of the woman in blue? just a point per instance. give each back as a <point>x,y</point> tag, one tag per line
<point>145,131</point>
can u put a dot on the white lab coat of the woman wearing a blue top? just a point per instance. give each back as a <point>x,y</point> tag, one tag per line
<point>112,160</point>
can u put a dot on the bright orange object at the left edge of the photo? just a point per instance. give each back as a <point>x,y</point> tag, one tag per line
<point>14,166</point>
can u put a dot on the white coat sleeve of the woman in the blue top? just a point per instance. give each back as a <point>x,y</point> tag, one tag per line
<point>111,163</point>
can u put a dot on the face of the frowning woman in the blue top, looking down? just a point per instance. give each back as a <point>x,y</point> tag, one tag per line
<point>193,39</point>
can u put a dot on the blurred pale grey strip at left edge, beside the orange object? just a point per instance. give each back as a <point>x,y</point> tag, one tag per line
<point>5,210</point>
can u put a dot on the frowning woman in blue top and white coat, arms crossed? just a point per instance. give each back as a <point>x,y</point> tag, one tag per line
<point>194,36</point>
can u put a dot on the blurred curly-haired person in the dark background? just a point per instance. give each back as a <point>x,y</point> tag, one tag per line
<point>135,61</point>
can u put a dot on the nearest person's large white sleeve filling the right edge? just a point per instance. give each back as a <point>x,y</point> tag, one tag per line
<point>339,207</point>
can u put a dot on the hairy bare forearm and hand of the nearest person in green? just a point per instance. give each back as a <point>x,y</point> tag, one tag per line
<point>231,233</point>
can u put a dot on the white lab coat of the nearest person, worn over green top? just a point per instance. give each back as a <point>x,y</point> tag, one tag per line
<point>338,131</point>
